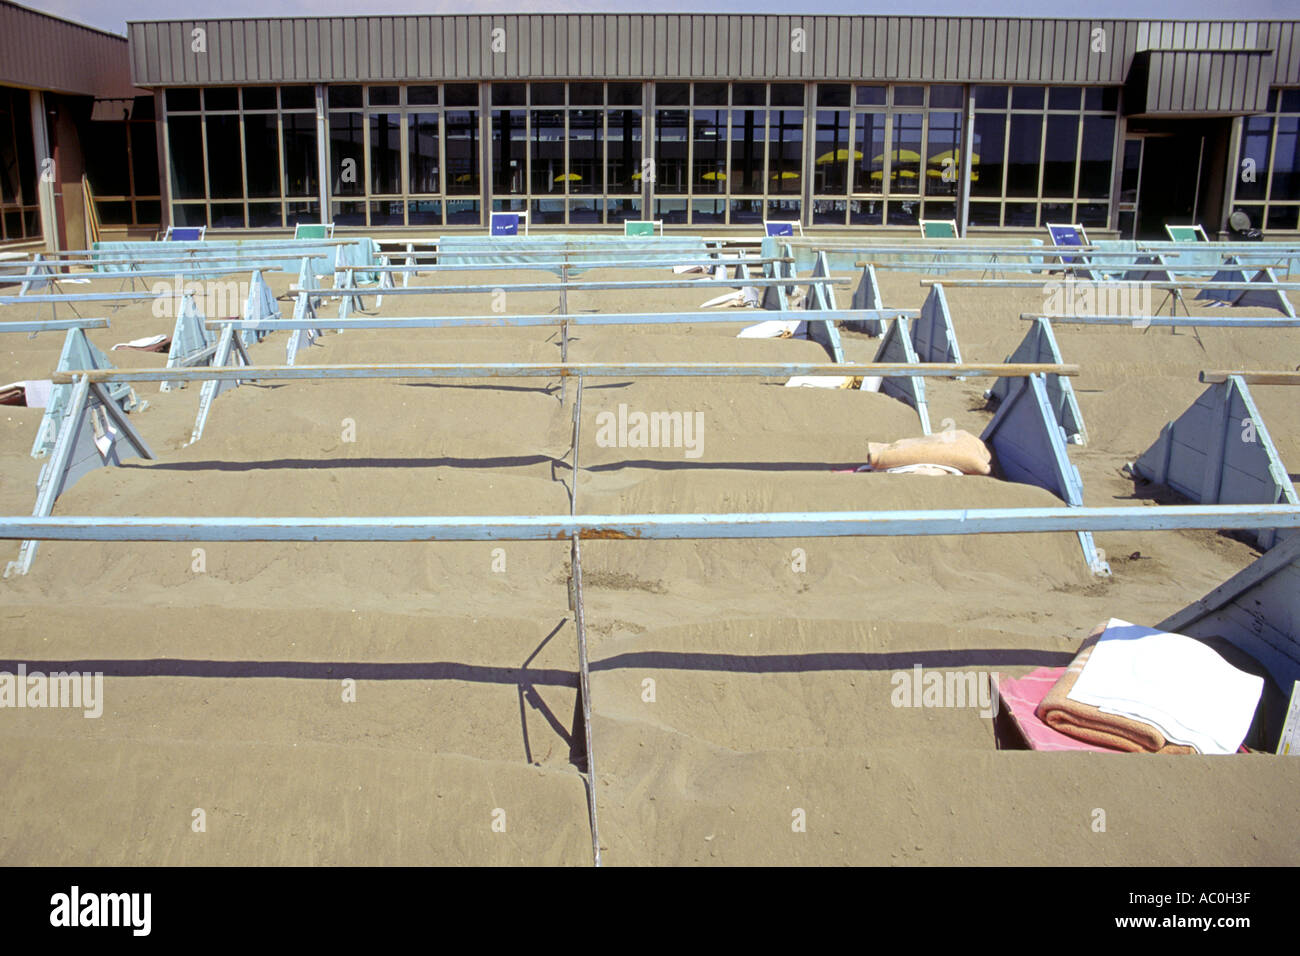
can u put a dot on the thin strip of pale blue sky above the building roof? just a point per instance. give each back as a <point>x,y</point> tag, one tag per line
<point>112,15</point>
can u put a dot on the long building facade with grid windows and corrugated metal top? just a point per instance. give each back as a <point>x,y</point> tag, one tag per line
<point>707,123</point>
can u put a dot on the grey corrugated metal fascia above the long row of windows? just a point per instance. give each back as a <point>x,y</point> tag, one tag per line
<point>673,46</point>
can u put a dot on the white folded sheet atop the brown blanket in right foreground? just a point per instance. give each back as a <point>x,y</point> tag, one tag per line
<point>1178,685</point>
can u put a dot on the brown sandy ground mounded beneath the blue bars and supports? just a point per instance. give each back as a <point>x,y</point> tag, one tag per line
<point>772,686</point>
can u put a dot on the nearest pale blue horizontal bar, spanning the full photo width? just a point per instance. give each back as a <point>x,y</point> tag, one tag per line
<point>656,526</point>
